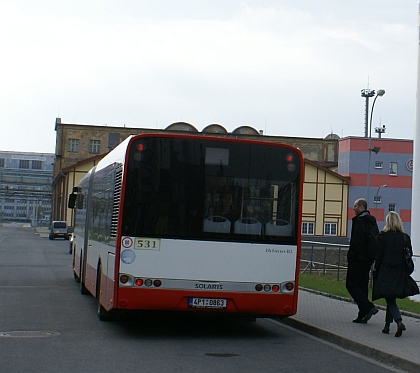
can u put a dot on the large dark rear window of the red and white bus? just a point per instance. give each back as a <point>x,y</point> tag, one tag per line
<point>213,190</point>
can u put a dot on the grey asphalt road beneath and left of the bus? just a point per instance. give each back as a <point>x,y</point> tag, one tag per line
<point>46,325</point>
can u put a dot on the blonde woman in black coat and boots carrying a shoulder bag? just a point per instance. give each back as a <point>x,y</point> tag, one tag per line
<point>390,273</point>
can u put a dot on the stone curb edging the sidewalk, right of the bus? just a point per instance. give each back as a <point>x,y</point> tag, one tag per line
<point>348,344</point>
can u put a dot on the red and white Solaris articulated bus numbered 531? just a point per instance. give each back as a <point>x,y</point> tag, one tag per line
<point>190,223</point>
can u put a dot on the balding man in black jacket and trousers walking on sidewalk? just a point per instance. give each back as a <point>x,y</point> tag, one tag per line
<point>360,260</point>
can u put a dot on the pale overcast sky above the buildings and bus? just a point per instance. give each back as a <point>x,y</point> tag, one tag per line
<point>289,68</point>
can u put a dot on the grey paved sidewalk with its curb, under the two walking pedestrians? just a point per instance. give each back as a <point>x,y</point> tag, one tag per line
<point>331,319</point>
